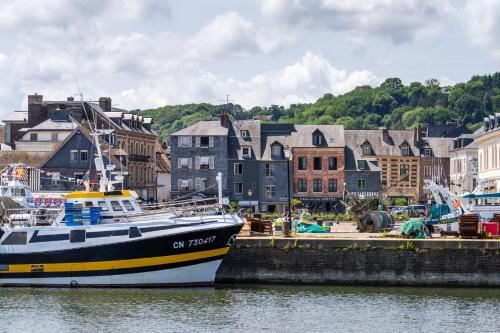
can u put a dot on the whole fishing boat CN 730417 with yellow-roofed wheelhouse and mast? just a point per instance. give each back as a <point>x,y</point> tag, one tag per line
<point>106,239</point>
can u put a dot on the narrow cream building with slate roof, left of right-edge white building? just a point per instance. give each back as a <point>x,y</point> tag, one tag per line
<point>463,159</point>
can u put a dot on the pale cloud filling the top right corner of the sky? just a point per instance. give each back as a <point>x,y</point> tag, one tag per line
<point>483,24</point>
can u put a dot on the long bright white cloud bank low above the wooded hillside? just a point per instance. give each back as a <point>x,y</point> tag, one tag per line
<point>304,81</point>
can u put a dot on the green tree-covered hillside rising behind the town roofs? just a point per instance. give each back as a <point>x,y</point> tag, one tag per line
<point>392,105</point>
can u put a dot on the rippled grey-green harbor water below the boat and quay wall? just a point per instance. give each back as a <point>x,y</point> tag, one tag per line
<point>250,309</point>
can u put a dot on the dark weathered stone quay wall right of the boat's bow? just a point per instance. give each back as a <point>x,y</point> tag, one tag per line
<point>398,262</point>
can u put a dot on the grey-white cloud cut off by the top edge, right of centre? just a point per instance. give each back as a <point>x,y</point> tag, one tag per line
<point>400,21</point>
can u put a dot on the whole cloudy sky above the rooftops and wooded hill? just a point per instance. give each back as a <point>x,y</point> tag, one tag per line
<point>148,53</point>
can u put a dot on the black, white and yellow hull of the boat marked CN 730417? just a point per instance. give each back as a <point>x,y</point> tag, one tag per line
<point>185,253</point>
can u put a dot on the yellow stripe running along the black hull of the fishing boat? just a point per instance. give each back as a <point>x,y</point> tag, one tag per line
<point>115,264</point>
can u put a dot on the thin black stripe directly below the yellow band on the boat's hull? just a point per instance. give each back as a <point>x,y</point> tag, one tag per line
<point>34,275</point>
